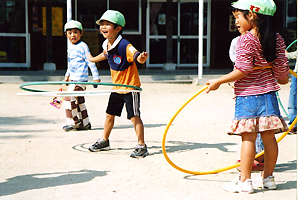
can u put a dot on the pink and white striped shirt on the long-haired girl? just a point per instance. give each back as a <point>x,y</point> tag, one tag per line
<point>249,54</point>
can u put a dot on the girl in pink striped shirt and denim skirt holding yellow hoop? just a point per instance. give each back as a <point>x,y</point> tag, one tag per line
<point>260,65</point>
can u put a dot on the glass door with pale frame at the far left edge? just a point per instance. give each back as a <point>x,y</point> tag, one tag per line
<point>14,35</point>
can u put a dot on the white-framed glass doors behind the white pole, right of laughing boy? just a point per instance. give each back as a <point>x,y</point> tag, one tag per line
<point>185,33</point>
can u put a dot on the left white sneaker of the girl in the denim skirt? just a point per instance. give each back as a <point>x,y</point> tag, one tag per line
<point>237,186</point>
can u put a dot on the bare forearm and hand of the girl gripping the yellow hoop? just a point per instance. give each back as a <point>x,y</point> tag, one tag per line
<point>230,77</point>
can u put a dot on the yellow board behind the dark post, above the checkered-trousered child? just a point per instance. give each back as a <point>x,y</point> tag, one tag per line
<point>57,21</point>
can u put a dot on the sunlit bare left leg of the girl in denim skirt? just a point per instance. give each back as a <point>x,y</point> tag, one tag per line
<point>247,154</point>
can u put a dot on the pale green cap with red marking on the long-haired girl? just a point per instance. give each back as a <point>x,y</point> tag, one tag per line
<point>265,7</point>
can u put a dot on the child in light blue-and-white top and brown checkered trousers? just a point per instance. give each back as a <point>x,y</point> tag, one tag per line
<point>77,71</point>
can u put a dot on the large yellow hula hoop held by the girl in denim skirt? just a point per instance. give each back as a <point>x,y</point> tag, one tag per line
<point>213,171</point>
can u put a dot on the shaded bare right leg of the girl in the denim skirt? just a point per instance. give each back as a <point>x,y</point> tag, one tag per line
<point>271,152</point>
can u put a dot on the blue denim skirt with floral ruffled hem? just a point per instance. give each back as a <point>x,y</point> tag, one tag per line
<point>257,113</point>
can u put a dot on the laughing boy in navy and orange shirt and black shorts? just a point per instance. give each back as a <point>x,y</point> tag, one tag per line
<point>121,57</point>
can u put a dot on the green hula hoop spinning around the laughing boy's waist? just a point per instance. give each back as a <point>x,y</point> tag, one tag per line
<point>23,86</point>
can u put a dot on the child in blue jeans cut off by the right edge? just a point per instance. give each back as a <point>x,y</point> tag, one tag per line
<point>292,105</point>
